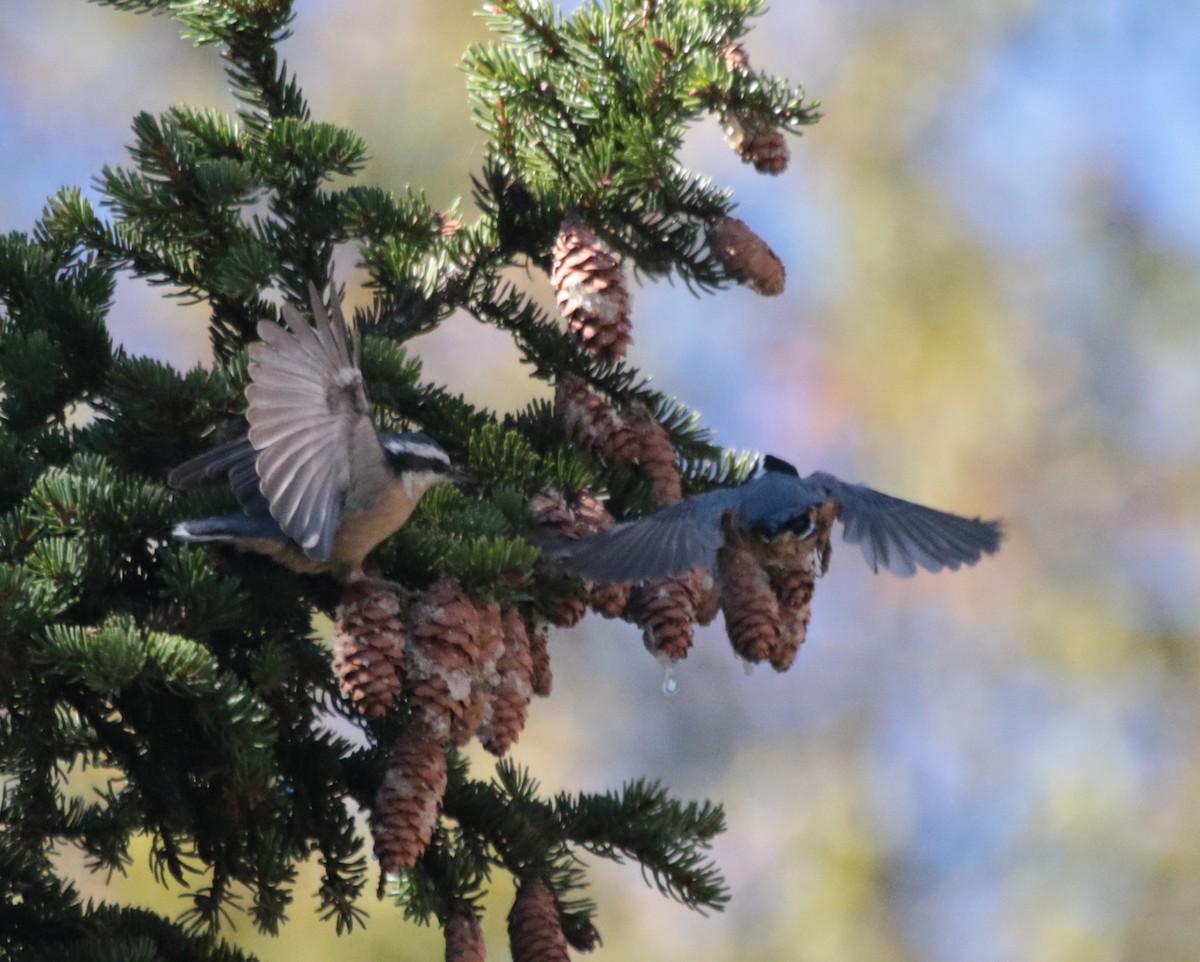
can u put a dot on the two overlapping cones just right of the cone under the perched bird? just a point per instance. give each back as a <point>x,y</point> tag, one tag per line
<point>453,652</point>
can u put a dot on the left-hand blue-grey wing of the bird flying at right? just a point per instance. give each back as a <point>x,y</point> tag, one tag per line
<point>668,543</point>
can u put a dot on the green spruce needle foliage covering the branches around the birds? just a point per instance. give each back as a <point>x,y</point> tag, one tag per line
<point>195,678</point>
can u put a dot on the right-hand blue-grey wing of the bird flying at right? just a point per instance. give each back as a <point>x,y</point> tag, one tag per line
<point>903,537</point>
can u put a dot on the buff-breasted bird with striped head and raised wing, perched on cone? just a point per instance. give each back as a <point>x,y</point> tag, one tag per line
<point>319,484</point>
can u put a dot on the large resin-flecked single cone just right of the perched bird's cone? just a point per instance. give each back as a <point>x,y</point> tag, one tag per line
<point>445,657</point>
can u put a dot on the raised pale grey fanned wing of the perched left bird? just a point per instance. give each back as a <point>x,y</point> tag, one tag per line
<point>309,422</point>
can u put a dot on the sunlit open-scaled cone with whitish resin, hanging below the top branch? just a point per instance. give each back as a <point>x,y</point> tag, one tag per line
<point>591,291</point>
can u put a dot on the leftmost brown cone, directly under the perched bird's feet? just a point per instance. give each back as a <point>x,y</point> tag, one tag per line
<point>369,648</point>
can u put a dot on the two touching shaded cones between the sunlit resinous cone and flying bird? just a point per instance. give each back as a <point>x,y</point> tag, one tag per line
<point>629,437</point>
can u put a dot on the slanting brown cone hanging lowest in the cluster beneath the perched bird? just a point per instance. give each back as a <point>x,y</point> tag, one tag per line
<point>410,801</point>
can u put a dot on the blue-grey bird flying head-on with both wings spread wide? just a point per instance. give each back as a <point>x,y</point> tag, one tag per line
<point>783,518</point>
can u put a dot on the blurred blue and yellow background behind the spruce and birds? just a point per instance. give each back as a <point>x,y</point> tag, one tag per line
<point>993,243</point>
